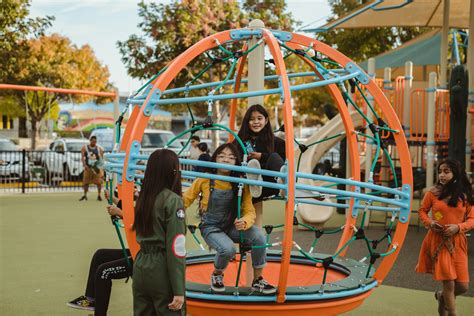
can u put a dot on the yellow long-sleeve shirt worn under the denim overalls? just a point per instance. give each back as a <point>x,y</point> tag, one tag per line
<point>203,186</point>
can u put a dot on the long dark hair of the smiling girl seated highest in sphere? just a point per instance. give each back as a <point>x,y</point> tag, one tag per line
<point>265,135</point>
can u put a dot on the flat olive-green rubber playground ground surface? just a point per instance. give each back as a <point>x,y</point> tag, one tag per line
<point>47,241</point>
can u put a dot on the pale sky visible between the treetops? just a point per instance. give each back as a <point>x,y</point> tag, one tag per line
<point>101,23</point>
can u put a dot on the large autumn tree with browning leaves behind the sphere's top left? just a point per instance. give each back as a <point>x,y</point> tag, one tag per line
<point>169,29</point>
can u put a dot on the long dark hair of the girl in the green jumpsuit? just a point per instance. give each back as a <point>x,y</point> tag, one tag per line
<point>162,172</point>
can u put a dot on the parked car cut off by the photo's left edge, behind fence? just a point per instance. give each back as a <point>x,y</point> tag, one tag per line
<point>11,160</point>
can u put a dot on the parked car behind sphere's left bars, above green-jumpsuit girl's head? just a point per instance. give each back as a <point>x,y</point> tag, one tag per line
<point>152,140</point>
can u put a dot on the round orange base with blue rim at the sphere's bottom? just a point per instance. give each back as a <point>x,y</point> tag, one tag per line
<point>345,289</point>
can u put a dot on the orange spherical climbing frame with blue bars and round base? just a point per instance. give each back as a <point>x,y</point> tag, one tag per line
<point>306,286</point>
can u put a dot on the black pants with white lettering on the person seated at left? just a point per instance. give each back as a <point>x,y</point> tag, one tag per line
<point>106,265</point>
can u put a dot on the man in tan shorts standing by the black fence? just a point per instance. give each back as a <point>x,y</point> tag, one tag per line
<point>92,157</point>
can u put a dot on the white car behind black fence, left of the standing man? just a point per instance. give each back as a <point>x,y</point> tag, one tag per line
<point>63,159</point>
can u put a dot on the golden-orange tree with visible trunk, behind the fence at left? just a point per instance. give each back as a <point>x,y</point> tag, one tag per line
<point>54,61</point>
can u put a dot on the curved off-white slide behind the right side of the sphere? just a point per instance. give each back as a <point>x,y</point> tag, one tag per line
<point>317,215</point>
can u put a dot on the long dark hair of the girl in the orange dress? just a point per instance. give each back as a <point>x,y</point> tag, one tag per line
<point>458,188</point>
